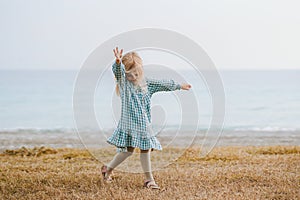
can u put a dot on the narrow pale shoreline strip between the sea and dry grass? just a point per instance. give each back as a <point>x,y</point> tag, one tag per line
<point>14,140</point>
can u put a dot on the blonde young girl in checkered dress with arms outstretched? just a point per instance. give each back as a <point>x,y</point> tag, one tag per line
<point>133,130</point>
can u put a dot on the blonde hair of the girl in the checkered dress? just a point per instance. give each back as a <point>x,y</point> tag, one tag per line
<point>132,61</point>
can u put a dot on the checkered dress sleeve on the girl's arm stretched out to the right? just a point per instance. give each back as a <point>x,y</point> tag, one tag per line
<point>162,85</point>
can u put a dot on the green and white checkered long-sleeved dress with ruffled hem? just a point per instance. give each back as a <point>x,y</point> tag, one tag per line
<point>134,128</point>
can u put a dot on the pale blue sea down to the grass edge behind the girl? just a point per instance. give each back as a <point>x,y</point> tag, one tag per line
<point>261,107</point>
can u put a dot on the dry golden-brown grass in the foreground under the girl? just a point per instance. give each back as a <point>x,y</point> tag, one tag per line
<point>226,173</point>
